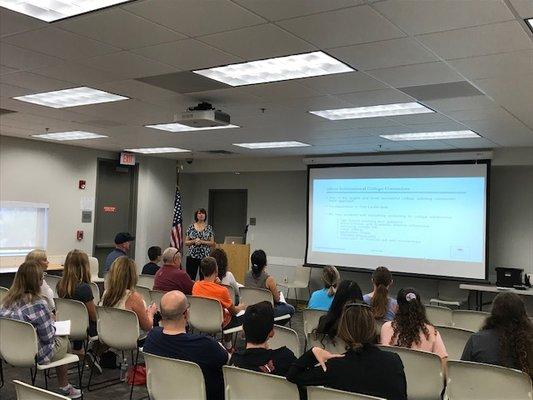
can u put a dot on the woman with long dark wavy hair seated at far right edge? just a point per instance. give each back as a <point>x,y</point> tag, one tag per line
<point>506,337</point>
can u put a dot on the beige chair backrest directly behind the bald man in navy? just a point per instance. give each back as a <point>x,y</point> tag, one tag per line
<point>167,377</point>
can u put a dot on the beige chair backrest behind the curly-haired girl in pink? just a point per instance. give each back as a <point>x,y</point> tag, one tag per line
<point>423,371</point>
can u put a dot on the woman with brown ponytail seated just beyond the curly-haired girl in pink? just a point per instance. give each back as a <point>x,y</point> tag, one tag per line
<point>383,306</point>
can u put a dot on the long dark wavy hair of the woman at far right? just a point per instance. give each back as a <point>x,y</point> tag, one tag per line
<point>509,319</point>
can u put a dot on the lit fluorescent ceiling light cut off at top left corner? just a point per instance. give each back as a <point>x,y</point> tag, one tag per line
<point>53,10</point>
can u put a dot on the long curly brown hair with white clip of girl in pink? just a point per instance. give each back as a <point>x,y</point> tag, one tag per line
<point>410,319</point>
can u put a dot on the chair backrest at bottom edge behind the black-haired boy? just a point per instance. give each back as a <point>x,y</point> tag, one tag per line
<point>242,384</point>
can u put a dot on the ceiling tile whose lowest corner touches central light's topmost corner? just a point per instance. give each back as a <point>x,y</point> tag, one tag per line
<point>343,27</point>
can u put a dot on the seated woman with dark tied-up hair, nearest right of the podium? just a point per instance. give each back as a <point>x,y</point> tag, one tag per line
<point>258,278</point>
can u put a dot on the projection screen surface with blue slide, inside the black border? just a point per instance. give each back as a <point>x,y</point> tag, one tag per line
<point>428,220</point>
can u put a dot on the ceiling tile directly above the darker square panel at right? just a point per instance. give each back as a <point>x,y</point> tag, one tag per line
<point>418,74</point>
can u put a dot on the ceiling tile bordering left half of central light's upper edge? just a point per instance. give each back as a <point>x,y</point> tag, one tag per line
<point>187,54</point>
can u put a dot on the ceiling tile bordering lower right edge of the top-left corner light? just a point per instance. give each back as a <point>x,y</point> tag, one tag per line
<point>120,28</point>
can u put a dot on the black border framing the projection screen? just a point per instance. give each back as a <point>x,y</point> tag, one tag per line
<point>488,164</point>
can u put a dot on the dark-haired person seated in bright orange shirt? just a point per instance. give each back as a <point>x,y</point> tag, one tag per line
<point>211,289</point>
